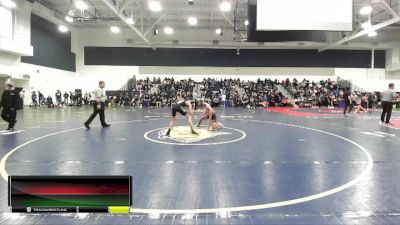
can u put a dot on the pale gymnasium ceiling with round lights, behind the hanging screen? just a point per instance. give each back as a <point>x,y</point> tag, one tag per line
<point>175,13</point>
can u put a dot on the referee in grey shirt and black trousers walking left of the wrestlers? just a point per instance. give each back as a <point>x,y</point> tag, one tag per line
<point>99,98</point>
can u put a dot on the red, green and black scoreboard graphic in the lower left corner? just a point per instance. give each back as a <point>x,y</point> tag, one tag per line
<point>58,194</point>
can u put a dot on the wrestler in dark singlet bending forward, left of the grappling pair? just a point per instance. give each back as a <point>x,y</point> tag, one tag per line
<point>178,107</point>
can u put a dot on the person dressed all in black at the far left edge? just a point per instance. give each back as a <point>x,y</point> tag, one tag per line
<point>9,103</point>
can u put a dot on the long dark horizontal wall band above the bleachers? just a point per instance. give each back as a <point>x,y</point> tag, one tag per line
<point>126,56</point>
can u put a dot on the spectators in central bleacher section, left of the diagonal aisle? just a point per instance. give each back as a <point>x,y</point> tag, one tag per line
<point>224,92</point>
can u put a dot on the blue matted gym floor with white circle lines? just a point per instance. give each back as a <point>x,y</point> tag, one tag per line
<point>273,166</point>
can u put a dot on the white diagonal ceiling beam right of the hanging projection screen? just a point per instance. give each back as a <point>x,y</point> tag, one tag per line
<point>395,19</point>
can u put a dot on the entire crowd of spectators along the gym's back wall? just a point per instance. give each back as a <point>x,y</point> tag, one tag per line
<point>226,92</point>
